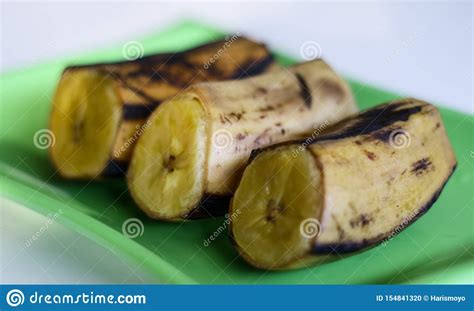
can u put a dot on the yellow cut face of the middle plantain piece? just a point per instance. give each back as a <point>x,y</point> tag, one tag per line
<point>166,174</point>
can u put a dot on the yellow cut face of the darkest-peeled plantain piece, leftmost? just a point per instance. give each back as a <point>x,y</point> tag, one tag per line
<point>84,121</point>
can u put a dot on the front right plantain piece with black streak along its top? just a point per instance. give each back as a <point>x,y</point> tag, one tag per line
<point>304,202</point>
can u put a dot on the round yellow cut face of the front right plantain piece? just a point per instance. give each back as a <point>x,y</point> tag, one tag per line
<point>279,188</point>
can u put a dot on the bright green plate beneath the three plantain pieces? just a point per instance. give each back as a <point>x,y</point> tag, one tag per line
<point>438,248</point>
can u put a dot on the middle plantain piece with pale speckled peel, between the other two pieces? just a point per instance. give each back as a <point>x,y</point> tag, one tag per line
<point>190,159</point>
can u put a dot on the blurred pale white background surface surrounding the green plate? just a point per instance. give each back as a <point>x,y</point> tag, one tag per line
<point>421,49</point>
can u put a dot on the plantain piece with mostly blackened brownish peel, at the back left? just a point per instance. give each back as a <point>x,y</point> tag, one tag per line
<point>100,110</point>
